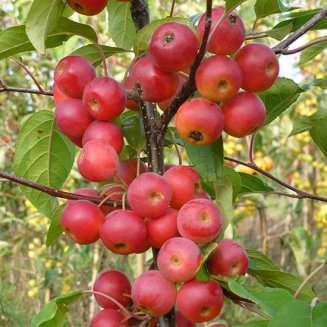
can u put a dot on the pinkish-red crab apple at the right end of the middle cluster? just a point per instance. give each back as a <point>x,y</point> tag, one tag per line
<point>199,220</point>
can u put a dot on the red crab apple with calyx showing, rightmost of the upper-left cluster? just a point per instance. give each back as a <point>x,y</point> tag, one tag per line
<point>104,98</point>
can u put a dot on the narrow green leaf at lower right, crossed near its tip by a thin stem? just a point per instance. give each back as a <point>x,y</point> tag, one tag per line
<point>280,279</point>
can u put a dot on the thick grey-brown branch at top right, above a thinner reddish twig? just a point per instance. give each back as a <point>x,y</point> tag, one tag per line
<point>282,46</point>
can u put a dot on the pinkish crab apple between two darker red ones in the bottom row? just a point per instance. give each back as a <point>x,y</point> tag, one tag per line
<point>153,293</point>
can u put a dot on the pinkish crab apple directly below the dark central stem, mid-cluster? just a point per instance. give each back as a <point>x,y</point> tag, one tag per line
<point>149,195</point>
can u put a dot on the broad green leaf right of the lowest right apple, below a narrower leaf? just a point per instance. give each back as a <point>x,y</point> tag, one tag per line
<point>270,300</point>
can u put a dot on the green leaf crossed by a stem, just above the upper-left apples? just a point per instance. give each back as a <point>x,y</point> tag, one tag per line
<point>91,53</point>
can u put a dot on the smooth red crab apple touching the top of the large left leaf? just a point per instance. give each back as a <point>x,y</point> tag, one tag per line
<point>72,118</point>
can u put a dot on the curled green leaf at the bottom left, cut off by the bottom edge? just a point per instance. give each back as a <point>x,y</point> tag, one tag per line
<point>54,312</point>
